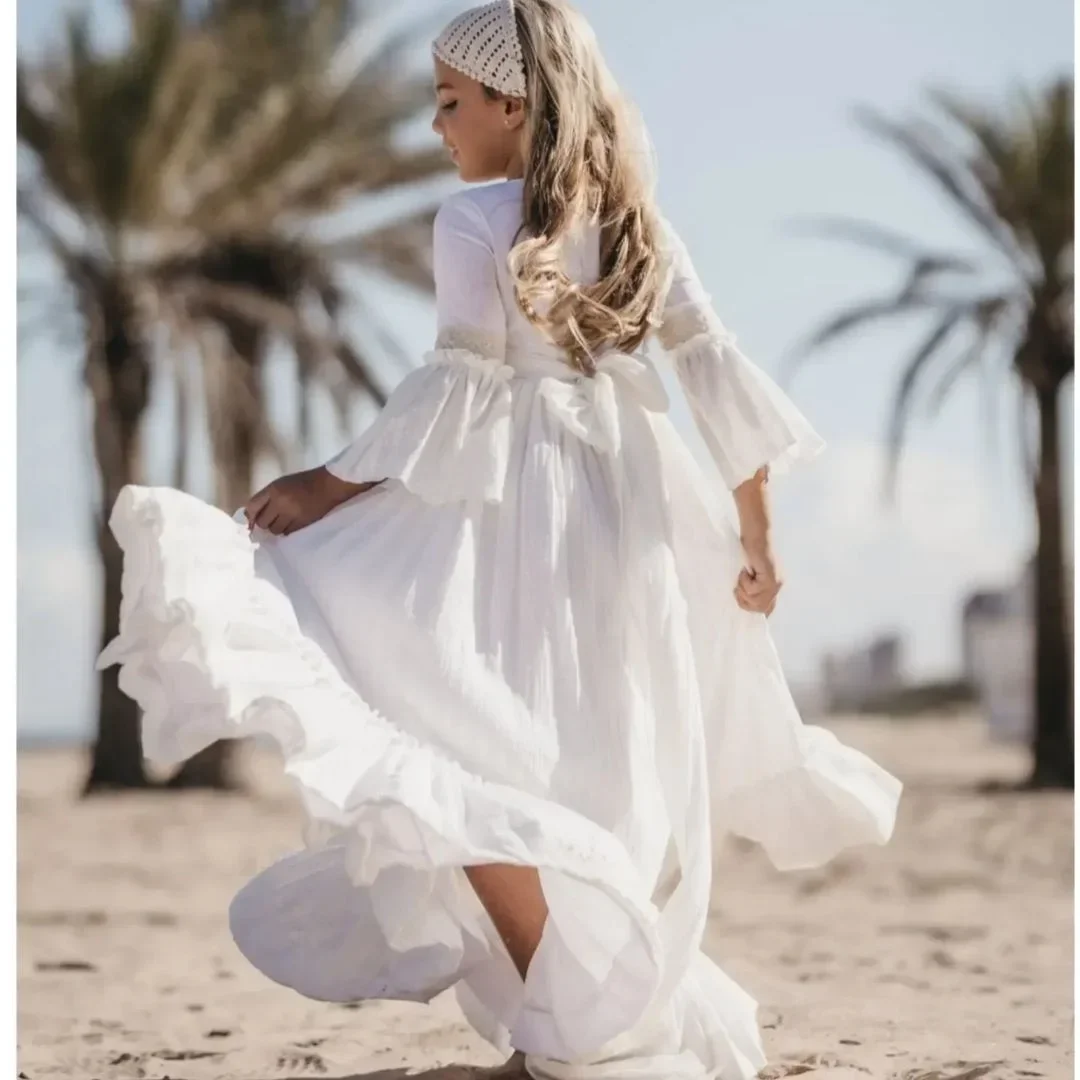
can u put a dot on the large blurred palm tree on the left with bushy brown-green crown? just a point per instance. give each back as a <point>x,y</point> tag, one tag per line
<point>175,185</point>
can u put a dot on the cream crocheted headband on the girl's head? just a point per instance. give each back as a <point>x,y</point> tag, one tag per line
<point>483,44</point>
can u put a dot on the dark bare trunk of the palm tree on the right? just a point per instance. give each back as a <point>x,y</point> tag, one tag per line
<point>1052,744</point>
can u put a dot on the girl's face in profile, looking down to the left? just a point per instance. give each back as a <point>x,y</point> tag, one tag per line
<point>482,132</point>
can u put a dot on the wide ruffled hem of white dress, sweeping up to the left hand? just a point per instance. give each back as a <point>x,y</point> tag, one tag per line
<point>211,651</point>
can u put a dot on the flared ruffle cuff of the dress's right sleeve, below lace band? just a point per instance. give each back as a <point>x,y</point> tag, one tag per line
<point>745,418</point>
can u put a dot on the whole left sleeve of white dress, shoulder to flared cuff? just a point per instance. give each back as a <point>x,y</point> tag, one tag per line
<point>444,434</point>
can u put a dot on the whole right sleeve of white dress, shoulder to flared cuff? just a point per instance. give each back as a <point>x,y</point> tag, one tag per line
<point>746,420</point>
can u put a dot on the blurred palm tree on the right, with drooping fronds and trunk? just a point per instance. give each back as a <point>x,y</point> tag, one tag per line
<point>1010,177</point>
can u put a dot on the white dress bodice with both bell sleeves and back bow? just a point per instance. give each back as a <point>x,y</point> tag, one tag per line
<point>447,428</point>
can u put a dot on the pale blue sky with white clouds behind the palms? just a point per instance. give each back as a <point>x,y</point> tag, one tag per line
<point>751,105</point>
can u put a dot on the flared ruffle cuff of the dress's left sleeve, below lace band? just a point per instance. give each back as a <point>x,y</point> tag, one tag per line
<point>444,433</point>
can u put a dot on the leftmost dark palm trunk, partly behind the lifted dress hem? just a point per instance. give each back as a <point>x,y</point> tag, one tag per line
<point>118,377</point>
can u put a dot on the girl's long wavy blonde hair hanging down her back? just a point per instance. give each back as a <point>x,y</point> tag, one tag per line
<point>580,165</point>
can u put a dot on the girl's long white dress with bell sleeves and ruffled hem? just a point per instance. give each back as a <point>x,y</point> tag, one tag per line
<point>522,647</point>
